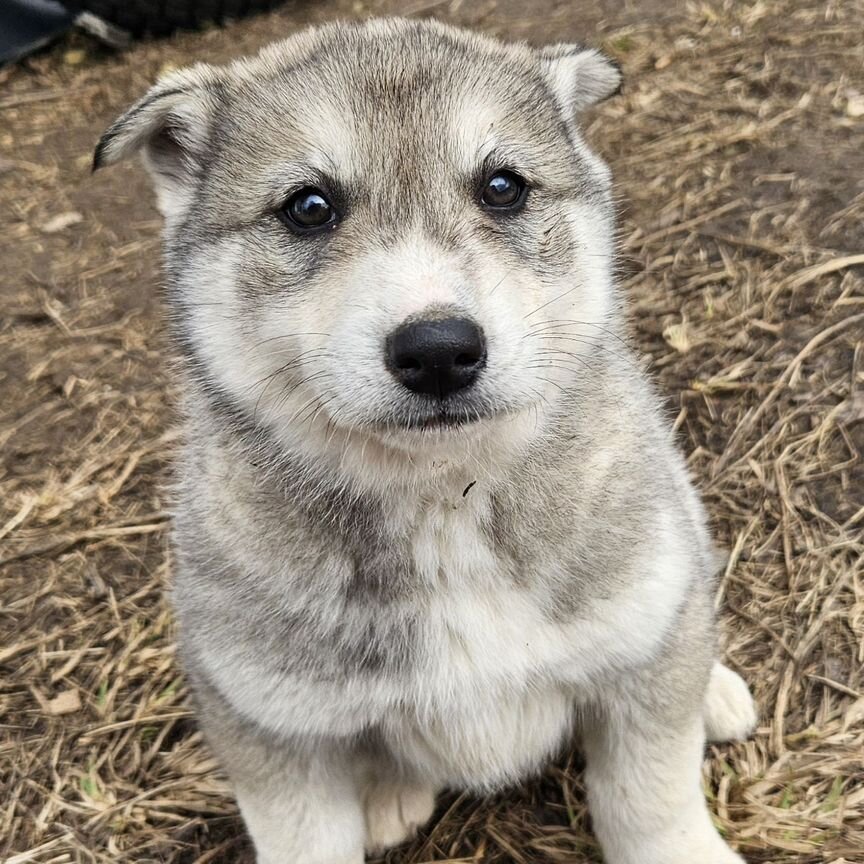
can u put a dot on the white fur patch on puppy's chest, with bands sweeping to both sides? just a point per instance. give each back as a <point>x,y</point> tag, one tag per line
<point>494,677</point>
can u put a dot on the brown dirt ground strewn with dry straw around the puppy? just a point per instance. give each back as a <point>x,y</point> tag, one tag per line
<point>739,158</point>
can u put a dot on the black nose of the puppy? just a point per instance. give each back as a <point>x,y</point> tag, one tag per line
<point>436,357</point>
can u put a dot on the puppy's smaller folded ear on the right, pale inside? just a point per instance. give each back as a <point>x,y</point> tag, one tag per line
<point>579,77</point>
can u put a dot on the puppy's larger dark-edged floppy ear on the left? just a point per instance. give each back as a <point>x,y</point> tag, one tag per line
<point>171,128</point>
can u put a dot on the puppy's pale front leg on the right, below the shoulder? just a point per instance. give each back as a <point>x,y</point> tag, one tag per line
<point>644,754</point>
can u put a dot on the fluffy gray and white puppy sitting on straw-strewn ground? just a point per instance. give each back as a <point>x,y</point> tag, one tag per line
<point>429,516</point>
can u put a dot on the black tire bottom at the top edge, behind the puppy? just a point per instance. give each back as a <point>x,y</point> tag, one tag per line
<point>161,17</point>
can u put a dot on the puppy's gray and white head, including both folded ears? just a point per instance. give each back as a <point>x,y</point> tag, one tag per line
<point>394,226</point>
